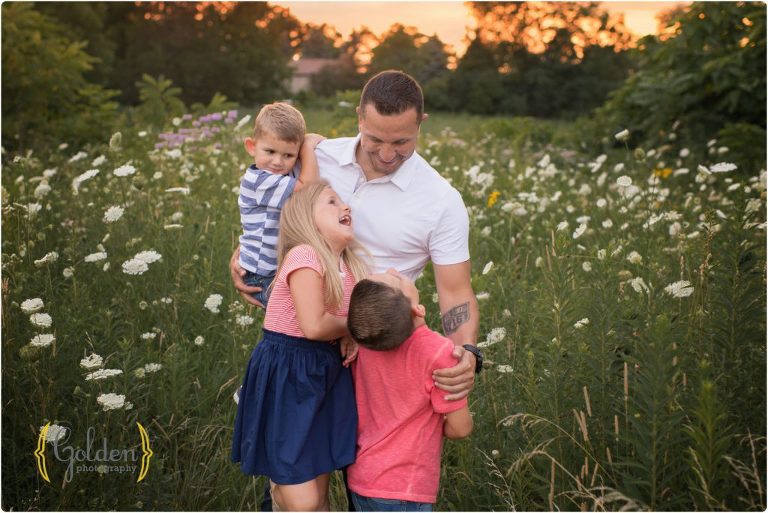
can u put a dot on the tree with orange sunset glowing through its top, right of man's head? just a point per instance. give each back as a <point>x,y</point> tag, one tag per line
<point>540,59</point>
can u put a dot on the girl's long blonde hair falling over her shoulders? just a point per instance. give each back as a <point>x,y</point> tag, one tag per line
<point>297,226</point>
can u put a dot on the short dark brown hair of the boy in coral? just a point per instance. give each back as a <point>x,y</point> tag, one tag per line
<point>379,316</point>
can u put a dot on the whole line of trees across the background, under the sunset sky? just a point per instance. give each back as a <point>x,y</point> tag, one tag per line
<point>69,67</point>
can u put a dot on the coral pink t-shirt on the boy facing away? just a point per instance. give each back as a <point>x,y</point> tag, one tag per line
<point>400,418</point>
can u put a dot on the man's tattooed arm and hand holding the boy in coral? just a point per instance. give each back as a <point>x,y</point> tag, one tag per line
<point>461,321</point>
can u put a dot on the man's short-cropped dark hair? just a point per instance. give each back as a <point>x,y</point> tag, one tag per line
<point>393,92</point>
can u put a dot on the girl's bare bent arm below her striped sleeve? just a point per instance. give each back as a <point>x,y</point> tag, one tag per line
<point>309,299</point>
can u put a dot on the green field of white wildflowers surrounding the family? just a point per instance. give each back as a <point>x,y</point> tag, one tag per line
<point>622,299</point>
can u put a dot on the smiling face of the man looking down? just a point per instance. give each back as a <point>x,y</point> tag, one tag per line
<point>386,141</point>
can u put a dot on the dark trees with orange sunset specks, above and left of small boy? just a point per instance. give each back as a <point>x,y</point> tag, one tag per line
<point>240,49</point>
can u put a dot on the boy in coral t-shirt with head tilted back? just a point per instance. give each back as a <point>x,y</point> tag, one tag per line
<point>402,416</point>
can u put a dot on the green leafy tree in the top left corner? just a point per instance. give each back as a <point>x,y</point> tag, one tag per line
<point>46,96</point>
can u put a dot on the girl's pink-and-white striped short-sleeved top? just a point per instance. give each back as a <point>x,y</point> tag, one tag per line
<point>281,312</point>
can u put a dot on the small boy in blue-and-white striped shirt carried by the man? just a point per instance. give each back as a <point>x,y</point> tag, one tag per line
<point>279,141</point>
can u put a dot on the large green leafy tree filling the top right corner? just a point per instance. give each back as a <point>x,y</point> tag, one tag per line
<point>708,76</point>
